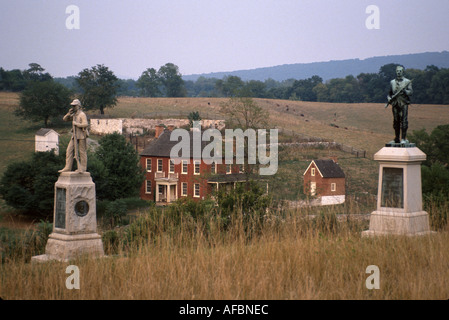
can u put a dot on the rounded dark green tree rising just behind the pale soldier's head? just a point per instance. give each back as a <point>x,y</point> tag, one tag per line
<point>99,88</point>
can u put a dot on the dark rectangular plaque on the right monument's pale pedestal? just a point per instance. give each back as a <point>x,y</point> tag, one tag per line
<point>392,188</point>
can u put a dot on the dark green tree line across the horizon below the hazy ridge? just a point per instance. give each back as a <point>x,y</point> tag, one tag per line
<point>431,85</point>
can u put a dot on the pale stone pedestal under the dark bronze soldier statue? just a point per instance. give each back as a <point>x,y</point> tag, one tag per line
<point>399,197</point>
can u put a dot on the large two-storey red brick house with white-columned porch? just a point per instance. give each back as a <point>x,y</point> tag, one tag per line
<point>166,181</point>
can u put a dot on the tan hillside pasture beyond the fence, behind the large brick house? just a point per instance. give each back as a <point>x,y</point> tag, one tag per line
<point>366,126</point>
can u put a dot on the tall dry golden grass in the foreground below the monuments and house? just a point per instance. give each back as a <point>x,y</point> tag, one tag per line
<point>294,257</point>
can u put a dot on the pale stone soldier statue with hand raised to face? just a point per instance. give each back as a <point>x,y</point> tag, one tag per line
<point>77,147</point>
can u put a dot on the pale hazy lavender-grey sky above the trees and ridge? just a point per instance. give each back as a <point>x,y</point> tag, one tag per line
<point>202,36</point>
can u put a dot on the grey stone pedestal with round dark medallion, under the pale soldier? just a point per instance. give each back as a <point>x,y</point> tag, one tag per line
<point>75,222</point>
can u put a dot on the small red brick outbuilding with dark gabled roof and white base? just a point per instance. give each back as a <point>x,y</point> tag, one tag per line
<point>325,179</point>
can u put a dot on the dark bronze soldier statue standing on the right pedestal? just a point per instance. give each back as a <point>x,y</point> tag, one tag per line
<point>399,98</point>
